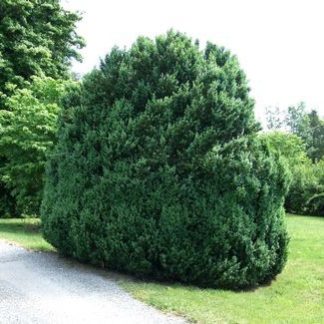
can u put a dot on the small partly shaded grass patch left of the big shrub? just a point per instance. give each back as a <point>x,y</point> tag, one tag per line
<point>24,232</point>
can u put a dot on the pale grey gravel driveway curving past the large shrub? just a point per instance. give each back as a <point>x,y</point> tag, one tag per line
<point>44,288</point>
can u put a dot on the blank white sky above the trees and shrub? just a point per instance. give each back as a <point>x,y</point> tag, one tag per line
<point>279,43</point>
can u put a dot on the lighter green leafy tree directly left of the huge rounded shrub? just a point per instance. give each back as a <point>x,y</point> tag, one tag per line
<point>28,129</point>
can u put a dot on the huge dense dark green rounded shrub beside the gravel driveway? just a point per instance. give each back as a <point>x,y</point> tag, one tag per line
<point>158,171</point>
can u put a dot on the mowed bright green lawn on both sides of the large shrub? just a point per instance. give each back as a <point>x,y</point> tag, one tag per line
<point>297,296</point>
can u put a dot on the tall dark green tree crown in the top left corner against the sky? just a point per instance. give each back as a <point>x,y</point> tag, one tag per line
<point>36,37</point>
